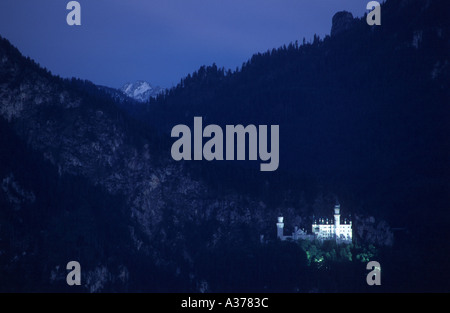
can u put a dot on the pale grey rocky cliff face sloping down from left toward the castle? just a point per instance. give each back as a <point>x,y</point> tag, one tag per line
<point>83,134</point>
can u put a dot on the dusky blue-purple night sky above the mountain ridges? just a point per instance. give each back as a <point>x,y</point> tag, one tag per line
<point>160,41</point>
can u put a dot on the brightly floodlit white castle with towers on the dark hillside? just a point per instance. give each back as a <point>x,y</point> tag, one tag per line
<point>321,230</point>
